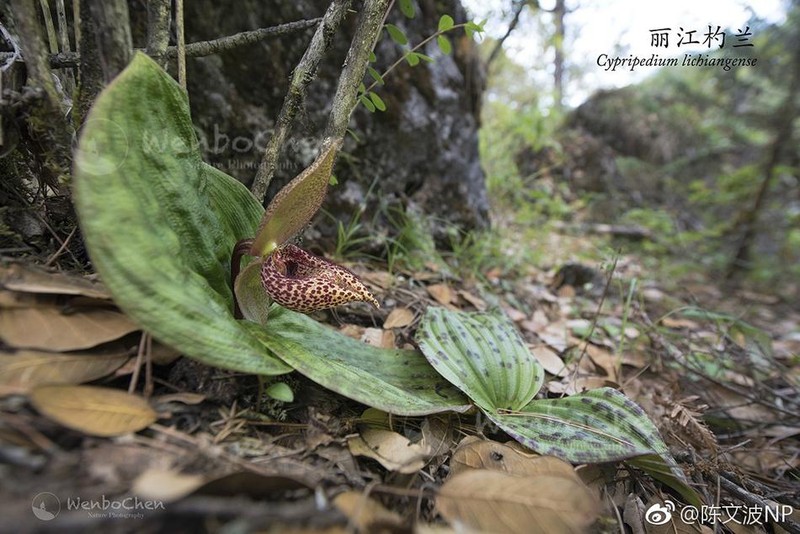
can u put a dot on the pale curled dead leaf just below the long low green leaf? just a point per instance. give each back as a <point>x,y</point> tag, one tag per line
<point>392,450</point>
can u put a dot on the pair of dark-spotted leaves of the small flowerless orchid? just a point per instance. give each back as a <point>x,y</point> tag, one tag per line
<point>484,356</point>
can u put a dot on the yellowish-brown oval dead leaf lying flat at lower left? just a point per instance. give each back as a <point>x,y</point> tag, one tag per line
<point>92,410</point>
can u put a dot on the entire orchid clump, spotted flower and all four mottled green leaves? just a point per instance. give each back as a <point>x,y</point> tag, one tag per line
<point>159,225</point>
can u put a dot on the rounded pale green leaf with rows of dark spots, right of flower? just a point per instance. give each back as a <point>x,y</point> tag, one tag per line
<point>483,355</point>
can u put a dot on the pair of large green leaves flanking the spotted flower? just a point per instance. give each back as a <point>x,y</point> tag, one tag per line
<point>160,225</point>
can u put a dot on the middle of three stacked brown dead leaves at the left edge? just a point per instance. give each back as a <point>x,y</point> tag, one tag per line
<point>48,328</point>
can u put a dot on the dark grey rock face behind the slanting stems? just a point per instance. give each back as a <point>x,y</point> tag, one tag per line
<point>423,151</point>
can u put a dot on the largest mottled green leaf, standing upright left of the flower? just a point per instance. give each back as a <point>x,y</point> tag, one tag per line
<point>160,224</point>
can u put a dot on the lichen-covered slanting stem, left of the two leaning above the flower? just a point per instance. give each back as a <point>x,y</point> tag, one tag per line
<point>303,74</point>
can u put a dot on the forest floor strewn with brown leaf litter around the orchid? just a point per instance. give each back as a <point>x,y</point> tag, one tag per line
<point>717,371</point>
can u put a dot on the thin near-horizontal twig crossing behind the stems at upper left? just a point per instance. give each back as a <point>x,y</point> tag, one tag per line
<point>198,49</point>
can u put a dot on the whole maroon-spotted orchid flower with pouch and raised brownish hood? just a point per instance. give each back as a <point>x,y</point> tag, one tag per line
<point>287,274</point>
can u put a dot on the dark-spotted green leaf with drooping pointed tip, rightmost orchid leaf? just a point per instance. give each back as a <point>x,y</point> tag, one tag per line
<point>600,425</point>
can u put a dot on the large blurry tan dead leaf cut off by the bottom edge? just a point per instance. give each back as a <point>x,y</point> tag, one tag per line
<point>495,501</point>
